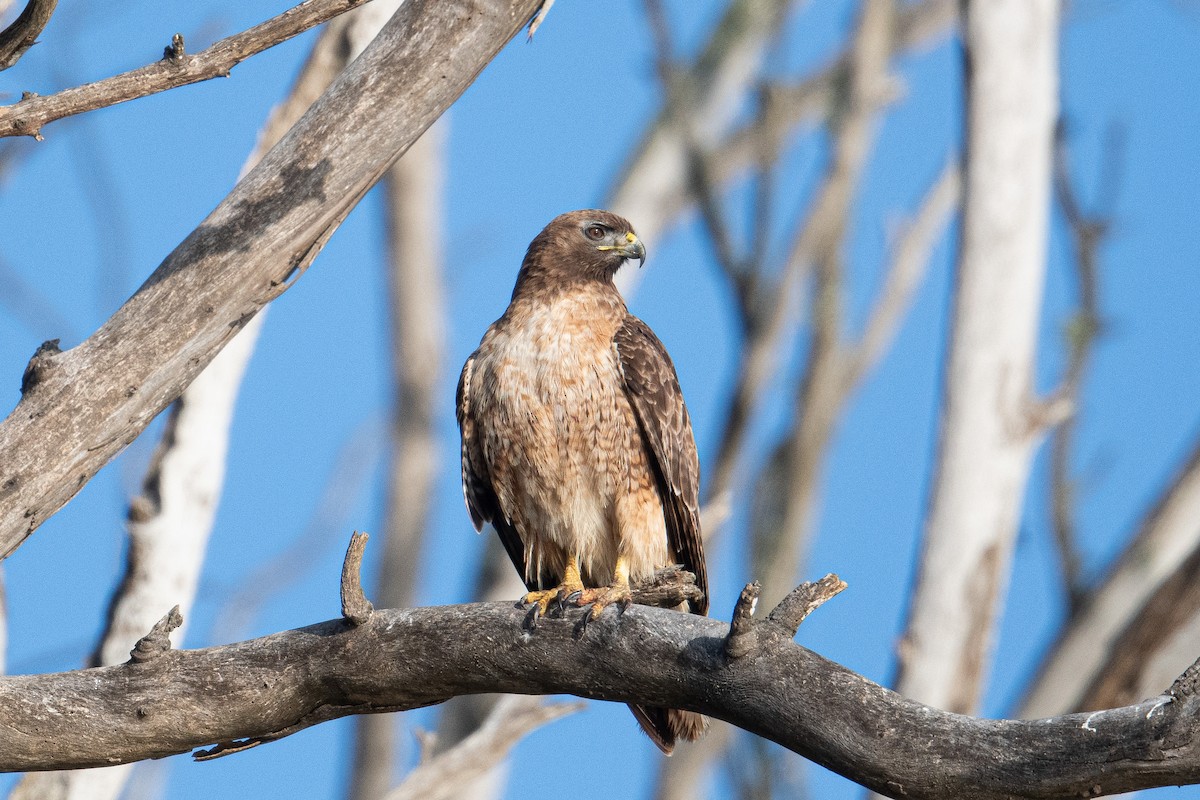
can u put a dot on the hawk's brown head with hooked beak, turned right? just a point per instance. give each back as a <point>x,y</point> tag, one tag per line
<point>590,244</point>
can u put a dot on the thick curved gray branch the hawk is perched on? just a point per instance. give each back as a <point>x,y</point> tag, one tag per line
<point>260,690</point>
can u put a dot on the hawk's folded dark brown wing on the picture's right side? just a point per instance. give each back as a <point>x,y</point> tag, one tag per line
<point>653,390</point>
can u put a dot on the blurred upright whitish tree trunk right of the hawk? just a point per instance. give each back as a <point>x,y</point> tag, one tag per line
<point>991,419</point>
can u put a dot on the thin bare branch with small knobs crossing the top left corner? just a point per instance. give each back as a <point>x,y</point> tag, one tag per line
<point>177,69</point>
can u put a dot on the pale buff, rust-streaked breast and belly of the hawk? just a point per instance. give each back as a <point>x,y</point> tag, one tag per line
<point>559,434</point>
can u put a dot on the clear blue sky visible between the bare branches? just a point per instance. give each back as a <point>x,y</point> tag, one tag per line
<point>88,214</point>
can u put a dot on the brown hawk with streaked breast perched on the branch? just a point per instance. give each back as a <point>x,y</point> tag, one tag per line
<point>577,443</point>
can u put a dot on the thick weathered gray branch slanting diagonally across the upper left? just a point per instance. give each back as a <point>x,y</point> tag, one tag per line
<point>82,407</point>
